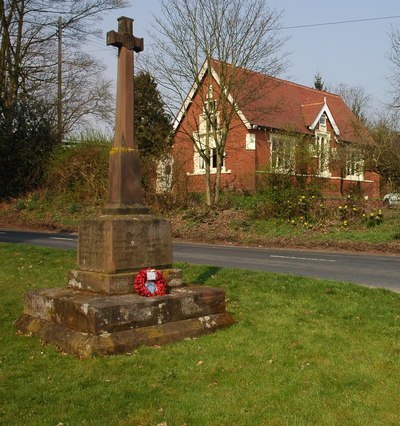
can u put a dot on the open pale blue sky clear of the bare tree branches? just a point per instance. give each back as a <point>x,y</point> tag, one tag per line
<point>350,53</point>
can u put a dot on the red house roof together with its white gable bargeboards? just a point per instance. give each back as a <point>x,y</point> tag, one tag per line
<point>283,105</point>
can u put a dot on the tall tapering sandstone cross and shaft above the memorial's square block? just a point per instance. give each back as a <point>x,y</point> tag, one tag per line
<point>124,187</point>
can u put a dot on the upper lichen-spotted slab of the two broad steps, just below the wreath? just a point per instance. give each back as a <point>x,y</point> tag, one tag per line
<point>96,314</point>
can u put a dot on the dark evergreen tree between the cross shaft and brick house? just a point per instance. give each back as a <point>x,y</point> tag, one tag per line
<point>152,124</point>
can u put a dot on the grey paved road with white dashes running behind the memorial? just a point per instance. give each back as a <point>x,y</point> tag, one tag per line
<point>370,270</point>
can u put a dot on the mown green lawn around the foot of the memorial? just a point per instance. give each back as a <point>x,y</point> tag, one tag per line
<point>303,351</point>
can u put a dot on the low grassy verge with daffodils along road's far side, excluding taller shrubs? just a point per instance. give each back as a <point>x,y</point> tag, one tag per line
<point>240,220</point>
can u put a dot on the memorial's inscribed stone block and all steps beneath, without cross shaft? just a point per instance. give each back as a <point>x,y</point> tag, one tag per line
<point>98,314</point>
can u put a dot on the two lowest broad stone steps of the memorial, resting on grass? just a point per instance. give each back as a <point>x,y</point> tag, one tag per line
<point>87,324</point>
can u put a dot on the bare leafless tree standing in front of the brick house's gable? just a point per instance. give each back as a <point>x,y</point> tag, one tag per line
<point>194,38</point>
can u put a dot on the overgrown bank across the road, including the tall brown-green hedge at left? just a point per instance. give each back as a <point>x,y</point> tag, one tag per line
<point>75,187</point>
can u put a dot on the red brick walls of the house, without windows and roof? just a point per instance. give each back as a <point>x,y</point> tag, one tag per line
<point>242,164</point>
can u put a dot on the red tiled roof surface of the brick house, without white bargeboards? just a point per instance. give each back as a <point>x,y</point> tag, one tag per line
<point>280,104</point>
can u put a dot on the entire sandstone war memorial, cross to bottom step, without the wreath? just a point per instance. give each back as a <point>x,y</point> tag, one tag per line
<point>99,313</point>
